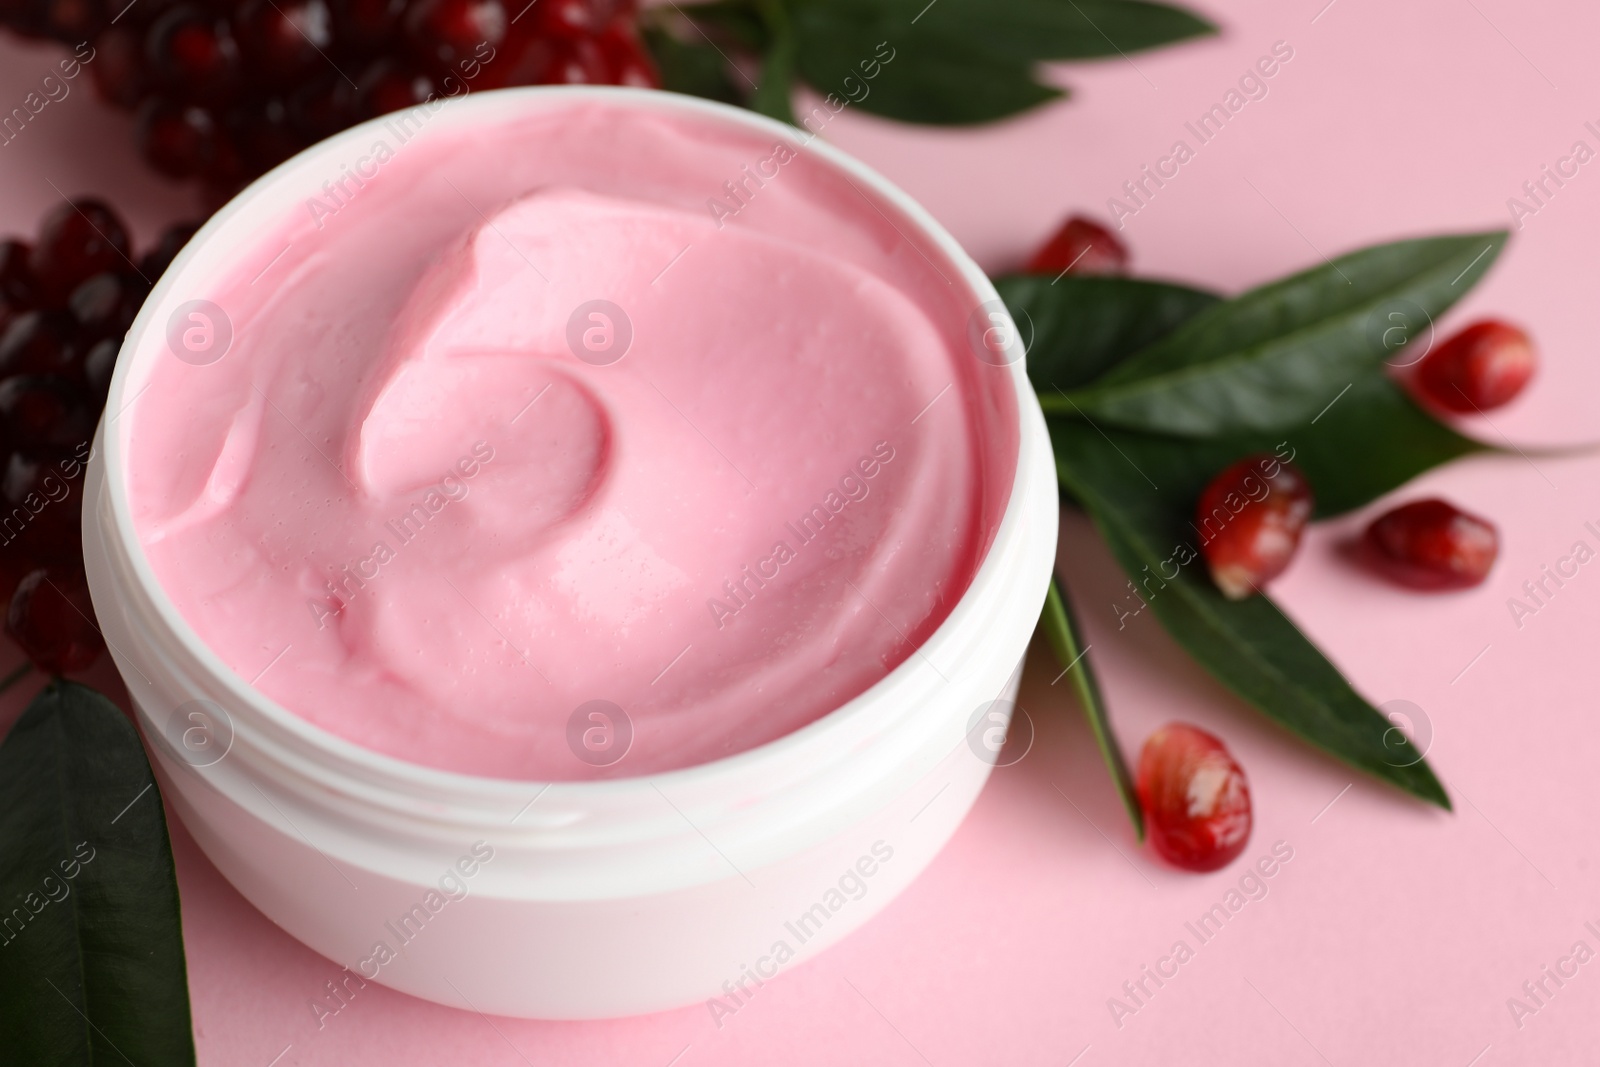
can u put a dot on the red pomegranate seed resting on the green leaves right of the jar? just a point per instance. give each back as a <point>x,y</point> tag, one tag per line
<point>1250,522</point>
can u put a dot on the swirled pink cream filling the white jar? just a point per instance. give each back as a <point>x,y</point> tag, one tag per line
<point>588,441</point>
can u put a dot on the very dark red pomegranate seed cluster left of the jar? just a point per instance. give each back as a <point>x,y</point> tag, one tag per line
<point>66,303</point>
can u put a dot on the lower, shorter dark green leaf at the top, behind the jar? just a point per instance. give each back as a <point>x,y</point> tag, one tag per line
<point>857,55</point>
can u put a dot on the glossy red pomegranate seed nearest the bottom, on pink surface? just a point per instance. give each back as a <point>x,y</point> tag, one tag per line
<point>1194,796</point>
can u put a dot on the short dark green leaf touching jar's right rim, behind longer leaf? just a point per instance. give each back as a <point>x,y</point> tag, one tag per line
<point>1079,327</point>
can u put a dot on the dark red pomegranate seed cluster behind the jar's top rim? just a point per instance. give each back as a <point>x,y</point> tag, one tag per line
<point>225,90</point>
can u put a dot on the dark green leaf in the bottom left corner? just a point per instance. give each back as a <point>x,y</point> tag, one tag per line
<point>92,951</point>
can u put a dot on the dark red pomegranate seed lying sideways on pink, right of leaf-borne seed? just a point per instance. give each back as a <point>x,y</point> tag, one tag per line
<point>1433,545</point>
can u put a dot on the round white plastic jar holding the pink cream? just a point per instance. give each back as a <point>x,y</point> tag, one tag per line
<point>570,900</point>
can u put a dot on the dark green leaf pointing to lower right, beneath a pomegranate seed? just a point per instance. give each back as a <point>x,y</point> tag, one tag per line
<point>1140,492</point>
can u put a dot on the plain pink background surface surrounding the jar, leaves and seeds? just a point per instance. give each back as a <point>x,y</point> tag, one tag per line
<point>1398,933</point>
